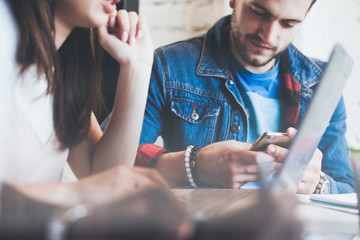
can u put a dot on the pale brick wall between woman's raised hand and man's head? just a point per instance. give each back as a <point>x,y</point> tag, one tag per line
<point>172,20</point>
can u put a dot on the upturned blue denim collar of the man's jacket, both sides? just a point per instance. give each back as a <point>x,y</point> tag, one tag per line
<point>214,61</point>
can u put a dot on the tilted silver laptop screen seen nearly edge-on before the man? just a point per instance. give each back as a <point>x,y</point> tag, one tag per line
<point>315,121</point>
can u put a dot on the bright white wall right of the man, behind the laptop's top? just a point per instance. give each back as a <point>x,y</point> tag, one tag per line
<point>330,22</point>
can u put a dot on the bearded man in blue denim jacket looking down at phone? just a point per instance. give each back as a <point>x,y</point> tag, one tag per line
<point>222,90</point>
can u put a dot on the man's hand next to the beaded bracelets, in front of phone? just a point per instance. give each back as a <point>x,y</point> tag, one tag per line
<point>229,164</point>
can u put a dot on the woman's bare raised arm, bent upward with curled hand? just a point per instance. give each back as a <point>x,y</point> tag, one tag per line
<point>130,44</point>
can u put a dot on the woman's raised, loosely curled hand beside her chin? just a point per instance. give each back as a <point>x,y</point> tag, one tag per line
<point>127,38</point>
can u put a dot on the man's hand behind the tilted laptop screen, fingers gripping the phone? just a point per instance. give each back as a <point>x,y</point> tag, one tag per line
<point>311,174</point>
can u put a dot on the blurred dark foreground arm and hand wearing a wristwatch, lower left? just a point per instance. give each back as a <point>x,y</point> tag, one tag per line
<point>149,214</point>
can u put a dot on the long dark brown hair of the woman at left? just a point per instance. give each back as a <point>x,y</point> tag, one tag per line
<point>73,73</point>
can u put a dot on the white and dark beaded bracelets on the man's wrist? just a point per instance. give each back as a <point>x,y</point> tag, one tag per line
<point>190,165</point>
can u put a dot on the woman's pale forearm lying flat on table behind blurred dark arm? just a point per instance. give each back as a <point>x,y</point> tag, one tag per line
<point>101,188</point>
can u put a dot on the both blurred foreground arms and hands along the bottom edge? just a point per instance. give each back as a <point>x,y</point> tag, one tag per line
<point>150,214</point>
